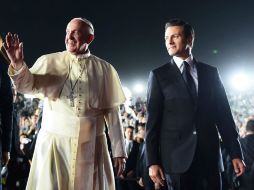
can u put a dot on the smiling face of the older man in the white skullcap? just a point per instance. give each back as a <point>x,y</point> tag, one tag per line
<point>76,36</point>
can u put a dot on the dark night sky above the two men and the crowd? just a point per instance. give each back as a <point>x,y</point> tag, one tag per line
<point>130,33</point>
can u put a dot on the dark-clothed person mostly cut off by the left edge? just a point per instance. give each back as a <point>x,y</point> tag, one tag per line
<point>6,109</point>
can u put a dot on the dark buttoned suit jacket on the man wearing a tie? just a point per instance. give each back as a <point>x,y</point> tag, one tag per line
<point>176,128</point>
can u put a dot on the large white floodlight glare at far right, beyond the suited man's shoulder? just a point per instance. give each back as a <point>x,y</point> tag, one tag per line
<point>241,81</point>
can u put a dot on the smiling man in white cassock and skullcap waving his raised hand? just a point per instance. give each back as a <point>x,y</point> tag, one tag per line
<point>81,93</point>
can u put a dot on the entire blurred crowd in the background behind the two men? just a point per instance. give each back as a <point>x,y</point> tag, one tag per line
<point>27,119</point>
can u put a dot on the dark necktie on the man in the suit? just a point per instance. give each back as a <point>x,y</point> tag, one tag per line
<point>189,81</point>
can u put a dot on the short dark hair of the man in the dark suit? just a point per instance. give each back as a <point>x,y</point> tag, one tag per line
<point>187,28</point>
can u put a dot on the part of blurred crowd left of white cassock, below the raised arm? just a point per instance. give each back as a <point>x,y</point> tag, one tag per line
<point>26,124</point>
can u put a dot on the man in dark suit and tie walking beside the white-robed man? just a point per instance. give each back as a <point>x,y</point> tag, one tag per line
<point>187,110</point>
